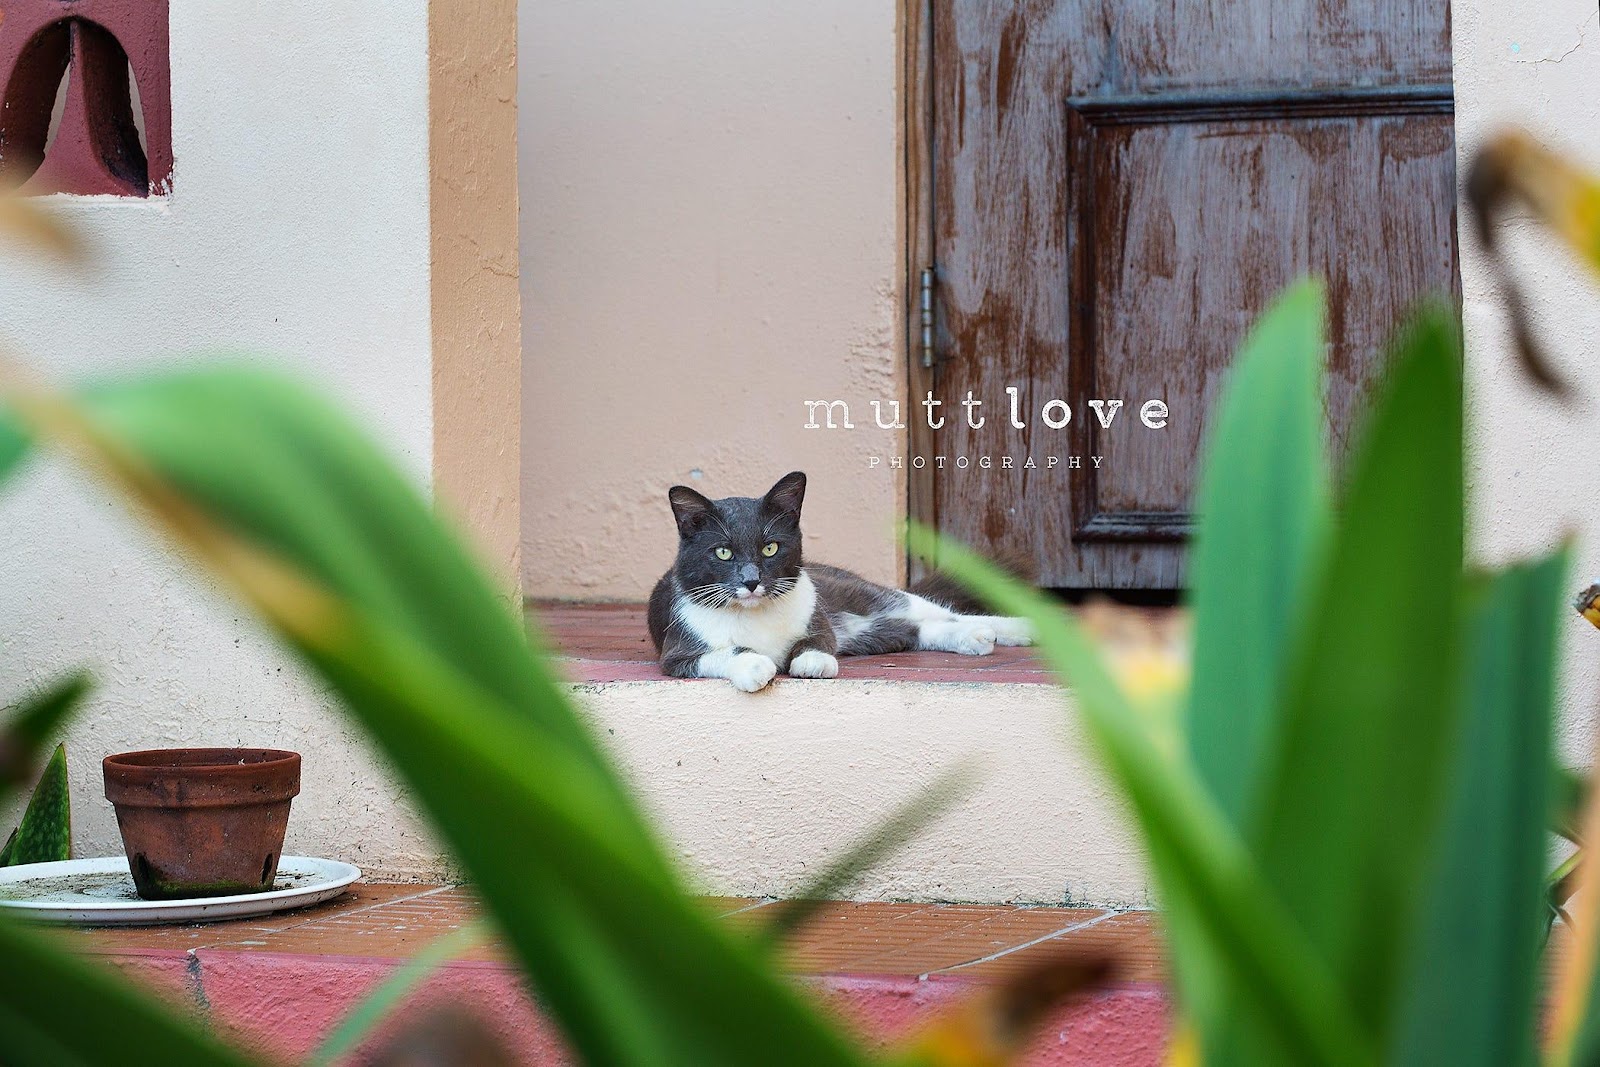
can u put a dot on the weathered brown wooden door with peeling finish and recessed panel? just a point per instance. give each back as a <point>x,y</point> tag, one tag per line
<point>1119,190</point>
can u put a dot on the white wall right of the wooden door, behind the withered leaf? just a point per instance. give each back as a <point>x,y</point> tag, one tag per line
<point>1535,465</point>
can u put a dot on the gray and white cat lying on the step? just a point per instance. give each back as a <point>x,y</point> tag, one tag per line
<point>742,604</point>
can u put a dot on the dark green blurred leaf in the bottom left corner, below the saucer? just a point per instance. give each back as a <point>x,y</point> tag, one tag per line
<point>60,1010</point>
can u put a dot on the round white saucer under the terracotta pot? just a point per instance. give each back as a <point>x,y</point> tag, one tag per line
<point>100,893</point>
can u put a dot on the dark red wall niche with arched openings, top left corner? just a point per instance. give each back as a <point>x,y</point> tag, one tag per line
<point>86,98</point>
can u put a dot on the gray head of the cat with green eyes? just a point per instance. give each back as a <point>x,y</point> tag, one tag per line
<point>740,551</point>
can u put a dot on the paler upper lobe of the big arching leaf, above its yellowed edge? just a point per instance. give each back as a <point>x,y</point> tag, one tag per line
<point>287,473</point>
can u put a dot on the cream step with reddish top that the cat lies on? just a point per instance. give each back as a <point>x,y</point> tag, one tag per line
<point>758,793</point>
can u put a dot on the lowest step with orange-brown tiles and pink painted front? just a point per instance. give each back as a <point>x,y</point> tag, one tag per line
<point>279,986</point>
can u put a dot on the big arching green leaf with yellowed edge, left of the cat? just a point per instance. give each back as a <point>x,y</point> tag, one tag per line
<point>282,497</point>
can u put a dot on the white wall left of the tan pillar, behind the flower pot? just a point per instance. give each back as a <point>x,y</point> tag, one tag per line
<point>298,228</point>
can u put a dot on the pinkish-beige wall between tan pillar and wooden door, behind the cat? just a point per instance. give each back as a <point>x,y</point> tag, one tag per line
<point>710,236</point>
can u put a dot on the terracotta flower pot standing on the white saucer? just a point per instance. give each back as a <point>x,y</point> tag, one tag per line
<point>202,821</point>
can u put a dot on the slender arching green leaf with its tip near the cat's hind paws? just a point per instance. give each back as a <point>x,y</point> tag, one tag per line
<point>1196,853</point>
